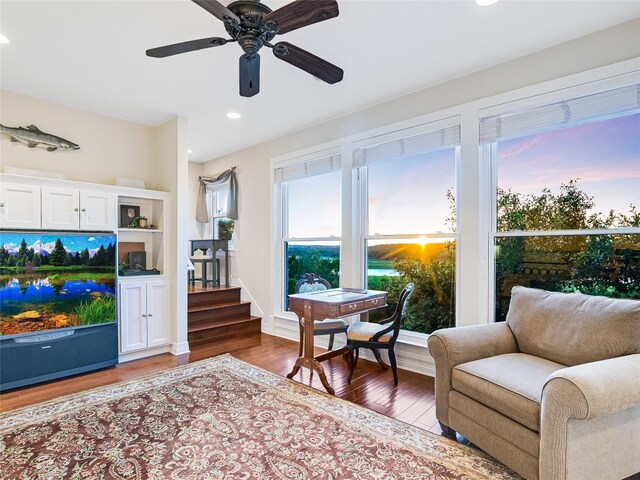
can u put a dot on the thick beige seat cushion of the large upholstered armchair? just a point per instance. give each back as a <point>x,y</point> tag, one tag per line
<point>510,384</point>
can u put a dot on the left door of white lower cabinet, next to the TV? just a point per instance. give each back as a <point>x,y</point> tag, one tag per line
<point>133,316</point>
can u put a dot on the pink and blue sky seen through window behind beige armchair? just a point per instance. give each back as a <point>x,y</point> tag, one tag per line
<point>604,156</point>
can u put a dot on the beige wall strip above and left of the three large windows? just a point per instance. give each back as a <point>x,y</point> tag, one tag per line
<point>252,238</point>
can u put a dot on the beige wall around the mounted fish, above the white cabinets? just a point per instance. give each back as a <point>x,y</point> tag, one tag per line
<point>109,147</point>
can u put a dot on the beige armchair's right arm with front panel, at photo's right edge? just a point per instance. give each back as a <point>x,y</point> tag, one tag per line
<point>590,420</point>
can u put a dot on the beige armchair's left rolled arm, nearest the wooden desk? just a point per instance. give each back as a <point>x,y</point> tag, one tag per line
<point>452,346</point>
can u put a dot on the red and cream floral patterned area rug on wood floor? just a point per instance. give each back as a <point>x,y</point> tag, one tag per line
<point>223,419</point>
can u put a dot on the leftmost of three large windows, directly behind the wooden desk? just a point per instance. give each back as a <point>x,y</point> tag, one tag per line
<point>309,192</point>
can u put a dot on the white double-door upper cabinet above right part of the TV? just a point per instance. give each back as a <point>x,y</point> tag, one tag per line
<point>74,209</point>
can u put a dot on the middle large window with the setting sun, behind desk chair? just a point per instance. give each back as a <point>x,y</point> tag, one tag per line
<point>407,186</point>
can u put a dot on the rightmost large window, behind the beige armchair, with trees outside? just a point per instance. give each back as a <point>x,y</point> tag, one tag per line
<point>567,189</point>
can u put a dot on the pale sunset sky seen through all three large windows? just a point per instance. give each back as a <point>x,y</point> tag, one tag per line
<point>410,196</point>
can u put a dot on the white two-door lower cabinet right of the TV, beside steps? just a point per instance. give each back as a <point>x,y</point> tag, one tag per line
<point>144,314</point>
